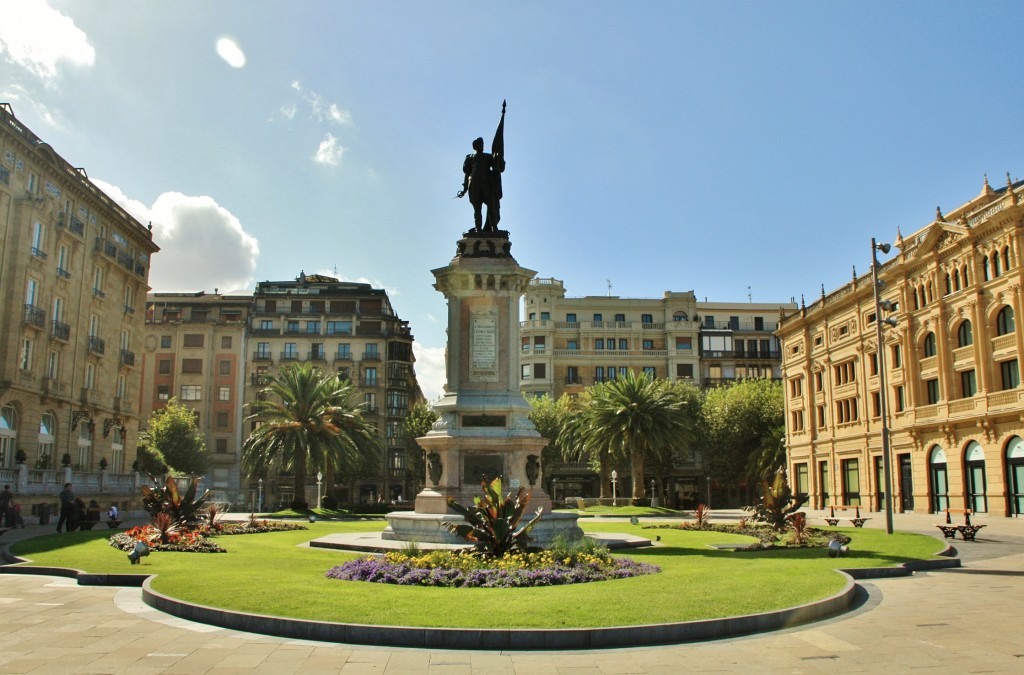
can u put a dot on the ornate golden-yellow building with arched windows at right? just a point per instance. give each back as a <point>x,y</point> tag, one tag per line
<point>954,396</point>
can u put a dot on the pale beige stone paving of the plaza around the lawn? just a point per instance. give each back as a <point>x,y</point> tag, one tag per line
<point>953,621</point>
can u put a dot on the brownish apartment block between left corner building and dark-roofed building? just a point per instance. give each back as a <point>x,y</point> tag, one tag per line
<point>195,352</point>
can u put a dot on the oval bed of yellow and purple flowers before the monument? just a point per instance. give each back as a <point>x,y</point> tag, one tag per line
<point>466,570</point>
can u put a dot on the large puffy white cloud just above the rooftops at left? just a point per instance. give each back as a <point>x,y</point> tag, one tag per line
<point>203,245</point>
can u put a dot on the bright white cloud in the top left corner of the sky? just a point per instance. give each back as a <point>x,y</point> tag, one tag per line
<point>37,37</point>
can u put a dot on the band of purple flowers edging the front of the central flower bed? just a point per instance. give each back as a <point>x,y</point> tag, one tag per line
<point>382,572</point>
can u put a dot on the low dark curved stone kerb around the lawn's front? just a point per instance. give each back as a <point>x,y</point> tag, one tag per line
<point>493,639</point>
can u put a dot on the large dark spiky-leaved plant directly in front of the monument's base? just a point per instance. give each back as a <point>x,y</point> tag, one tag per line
<point>493,523</point>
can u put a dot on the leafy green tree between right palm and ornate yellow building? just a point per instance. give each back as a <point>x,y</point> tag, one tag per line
<point>740,420</point>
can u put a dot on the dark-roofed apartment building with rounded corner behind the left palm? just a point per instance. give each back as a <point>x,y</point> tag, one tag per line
<point>353,329</point>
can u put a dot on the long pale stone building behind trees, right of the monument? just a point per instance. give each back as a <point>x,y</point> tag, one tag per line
<point>570,344</point>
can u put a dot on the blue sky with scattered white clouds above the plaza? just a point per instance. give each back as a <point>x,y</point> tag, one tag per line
<point>663,146</point>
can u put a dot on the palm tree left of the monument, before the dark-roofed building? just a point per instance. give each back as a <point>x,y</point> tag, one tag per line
<point>309,418</point>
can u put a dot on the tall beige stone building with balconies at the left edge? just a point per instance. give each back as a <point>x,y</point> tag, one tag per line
<point>74,274</point>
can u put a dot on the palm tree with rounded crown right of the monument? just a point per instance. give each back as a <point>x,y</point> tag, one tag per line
<point>636,416</point>
